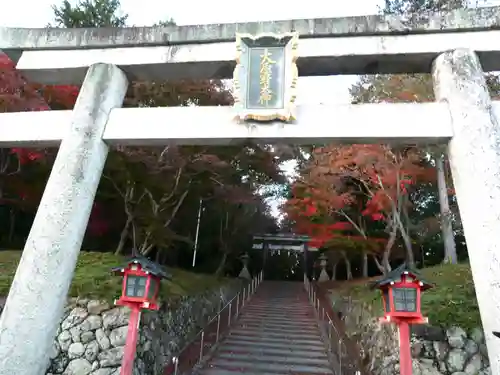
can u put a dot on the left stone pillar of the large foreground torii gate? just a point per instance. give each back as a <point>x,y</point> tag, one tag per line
<point>39,291</point>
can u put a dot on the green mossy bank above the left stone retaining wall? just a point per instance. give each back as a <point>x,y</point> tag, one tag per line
<point>93,278</point>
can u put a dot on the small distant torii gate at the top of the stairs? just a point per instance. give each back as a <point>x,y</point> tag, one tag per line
<point>284,242</point>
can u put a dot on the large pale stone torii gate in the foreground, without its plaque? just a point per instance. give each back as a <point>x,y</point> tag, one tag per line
<point>446,44</point>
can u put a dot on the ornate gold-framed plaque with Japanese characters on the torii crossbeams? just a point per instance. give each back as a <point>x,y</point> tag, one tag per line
<point>265,77</point>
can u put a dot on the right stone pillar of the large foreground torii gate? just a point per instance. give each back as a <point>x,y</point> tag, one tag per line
<point>474,153</point>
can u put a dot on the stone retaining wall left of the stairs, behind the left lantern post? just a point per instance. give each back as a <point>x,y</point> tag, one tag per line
<point>91,337</point>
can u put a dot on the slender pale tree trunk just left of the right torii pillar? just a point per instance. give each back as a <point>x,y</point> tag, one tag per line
<point>450,250</point>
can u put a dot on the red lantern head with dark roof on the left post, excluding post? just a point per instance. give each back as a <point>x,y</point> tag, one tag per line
<point>141,282</point>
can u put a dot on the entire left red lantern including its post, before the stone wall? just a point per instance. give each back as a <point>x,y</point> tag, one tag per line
<point>140,288</point>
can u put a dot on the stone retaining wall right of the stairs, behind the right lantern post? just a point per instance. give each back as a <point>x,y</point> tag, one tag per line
<point>435,351</point>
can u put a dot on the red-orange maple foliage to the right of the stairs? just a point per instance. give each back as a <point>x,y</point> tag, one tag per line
<point>345,187</point>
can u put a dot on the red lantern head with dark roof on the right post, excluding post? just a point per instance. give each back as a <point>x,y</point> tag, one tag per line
<point>401,291</point>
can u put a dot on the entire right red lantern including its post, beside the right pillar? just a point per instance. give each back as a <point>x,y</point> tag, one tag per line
<point>401,291</point>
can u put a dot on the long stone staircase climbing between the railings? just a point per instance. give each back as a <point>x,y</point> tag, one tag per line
<point>276,334</point>
